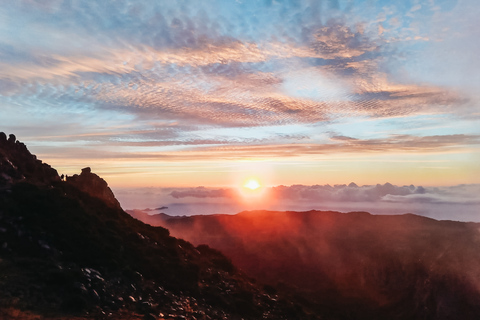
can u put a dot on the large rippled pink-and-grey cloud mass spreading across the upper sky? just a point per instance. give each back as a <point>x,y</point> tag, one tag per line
<point>186,68</point>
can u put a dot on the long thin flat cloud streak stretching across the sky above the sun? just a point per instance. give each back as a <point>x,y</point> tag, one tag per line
<point>108,147</point>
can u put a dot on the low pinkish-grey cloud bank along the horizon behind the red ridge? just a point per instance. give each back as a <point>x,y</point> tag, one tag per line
<point>460,203</point>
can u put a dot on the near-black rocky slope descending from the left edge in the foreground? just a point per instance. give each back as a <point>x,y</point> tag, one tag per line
<point>67,248</point>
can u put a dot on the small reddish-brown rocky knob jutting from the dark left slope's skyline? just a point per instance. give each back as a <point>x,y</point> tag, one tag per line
<point>95,186</point>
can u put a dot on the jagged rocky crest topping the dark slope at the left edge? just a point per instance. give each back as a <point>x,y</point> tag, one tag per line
<point>18,164</point>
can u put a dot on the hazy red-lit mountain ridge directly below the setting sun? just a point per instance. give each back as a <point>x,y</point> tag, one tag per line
<point>354,265</point>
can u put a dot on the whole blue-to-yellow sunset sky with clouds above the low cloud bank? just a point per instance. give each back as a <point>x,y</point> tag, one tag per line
<point>188,94</point>
